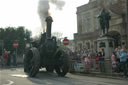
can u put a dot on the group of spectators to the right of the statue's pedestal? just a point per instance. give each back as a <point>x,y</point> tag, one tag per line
<point>120,60</point>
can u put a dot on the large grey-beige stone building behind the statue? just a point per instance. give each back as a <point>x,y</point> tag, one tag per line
<point>88,27</point>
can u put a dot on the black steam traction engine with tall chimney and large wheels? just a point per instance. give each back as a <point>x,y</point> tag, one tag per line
<point>46,54</point>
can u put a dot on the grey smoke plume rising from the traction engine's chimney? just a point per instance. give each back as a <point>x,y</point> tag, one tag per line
<point>44,6</point>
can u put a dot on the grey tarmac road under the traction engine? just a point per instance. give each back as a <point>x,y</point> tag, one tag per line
<point>16,76</point>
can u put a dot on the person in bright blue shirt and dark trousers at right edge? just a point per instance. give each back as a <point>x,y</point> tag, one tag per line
<point>123,60</point>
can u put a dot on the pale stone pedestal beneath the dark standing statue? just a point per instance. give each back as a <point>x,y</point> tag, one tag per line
<point>106,43</point>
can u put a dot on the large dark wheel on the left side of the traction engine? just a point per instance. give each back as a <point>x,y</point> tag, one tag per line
<point>33,62</point>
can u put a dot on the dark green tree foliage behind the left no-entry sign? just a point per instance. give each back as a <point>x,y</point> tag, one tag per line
<point>11,34</point>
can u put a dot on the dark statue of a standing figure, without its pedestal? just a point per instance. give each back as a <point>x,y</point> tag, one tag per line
<point>104,19</point>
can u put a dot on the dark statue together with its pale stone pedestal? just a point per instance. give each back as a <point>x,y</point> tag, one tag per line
<point>105,42</point>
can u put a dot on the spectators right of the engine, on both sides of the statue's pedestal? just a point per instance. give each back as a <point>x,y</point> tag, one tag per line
<point>96,60</point>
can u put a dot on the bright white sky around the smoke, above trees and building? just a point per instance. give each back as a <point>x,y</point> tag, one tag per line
<point>25,13</point>
